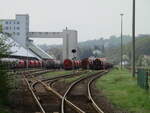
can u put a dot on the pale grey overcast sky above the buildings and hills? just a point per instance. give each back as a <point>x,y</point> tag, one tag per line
<point>91,18</point>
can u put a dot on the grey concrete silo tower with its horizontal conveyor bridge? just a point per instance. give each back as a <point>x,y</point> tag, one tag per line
<point>69,40</point>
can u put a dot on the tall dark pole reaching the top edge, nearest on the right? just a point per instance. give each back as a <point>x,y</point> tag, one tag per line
<point>133,40</point>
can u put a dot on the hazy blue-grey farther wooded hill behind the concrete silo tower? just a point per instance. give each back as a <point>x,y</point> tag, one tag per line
<point>96,47</point>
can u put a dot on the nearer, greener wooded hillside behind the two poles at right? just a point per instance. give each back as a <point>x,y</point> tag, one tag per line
<point>142,51</point>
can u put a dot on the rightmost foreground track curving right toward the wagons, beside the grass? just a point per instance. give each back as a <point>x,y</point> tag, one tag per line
<point>82,99</point>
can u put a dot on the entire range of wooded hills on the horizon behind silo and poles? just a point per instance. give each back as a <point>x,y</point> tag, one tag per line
<point>109,48</point>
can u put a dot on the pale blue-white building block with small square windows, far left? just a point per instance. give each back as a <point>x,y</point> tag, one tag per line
<point>17,28</point>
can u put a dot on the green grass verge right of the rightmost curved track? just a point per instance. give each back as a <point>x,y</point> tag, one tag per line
<point>122,91</point>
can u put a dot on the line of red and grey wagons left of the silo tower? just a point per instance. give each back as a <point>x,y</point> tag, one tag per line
<point>14,63</point>
